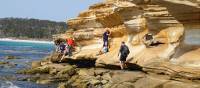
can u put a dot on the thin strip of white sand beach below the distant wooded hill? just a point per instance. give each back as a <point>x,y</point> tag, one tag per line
<point>28,41</point>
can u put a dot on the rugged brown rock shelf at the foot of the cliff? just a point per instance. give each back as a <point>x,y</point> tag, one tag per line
<point>84,74</point>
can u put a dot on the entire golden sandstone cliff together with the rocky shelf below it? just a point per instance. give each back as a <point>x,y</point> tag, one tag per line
<point>172,63</point>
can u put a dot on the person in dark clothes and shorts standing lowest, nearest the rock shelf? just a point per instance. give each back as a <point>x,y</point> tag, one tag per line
<point>123,52</point>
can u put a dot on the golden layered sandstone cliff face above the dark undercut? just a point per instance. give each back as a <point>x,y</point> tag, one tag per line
<point>129,21</point>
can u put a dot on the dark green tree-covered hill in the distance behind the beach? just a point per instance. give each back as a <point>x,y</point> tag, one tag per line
<point>30,28</point>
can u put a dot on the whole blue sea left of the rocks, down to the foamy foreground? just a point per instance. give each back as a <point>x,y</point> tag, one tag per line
<point>25,53</point>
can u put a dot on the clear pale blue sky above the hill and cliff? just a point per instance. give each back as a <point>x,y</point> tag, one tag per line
<point>55,10</point>
